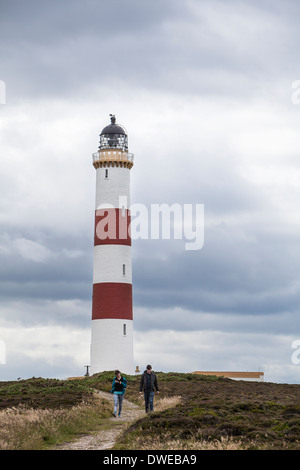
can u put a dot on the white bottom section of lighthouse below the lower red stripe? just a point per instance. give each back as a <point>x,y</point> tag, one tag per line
<point>112,345</point>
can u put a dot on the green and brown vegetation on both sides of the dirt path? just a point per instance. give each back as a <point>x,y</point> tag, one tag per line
<point>213,412</point>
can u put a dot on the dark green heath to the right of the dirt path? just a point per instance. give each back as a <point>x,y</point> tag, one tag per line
<point>250,415</point>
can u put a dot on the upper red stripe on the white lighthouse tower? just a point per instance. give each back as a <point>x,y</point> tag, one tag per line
<point>112,226</point>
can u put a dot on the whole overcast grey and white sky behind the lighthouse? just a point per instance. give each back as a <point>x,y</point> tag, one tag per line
<point>205,91</point>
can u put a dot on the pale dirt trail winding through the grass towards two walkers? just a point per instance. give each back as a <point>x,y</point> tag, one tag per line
<point>106,439</point>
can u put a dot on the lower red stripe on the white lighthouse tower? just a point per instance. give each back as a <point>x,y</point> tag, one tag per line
<point>112,300</point>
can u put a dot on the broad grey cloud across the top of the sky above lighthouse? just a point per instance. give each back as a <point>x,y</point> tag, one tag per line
<point>65,48</point>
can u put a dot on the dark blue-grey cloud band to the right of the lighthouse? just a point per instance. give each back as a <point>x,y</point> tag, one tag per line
<point>230,274</point>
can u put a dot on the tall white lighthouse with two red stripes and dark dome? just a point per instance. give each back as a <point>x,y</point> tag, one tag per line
<point>112,313</point>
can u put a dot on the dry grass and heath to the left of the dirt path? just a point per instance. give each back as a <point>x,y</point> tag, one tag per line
<point>36,413</point>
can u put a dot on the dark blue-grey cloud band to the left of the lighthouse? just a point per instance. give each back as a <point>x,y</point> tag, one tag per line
<point>52,268</point>
